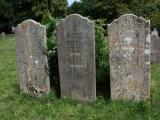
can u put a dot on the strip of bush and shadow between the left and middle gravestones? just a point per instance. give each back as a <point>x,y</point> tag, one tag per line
<point>51,24</point>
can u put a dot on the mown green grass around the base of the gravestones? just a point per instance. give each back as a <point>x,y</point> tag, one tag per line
<point>17,106</point>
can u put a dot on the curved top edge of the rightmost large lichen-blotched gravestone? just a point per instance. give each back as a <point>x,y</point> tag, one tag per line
<point>128,15</point>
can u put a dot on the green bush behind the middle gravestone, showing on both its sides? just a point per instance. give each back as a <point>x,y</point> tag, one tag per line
<point>102,66</point>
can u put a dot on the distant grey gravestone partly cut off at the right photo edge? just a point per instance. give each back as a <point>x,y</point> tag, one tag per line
<point>155,47</point>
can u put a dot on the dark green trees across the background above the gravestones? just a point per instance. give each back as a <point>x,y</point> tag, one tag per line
<point>13,12</point>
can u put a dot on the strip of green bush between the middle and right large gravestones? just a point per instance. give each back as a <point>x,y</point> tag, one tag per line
<point>102,61</point>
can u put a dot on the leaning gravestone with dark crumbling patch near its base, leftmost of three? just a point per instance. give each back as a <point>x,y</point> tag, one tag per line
<point>32,62</point>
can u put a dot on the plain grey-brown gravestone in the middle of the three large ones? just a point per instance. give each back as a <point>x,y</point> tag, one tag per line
<point>76,55</point>
